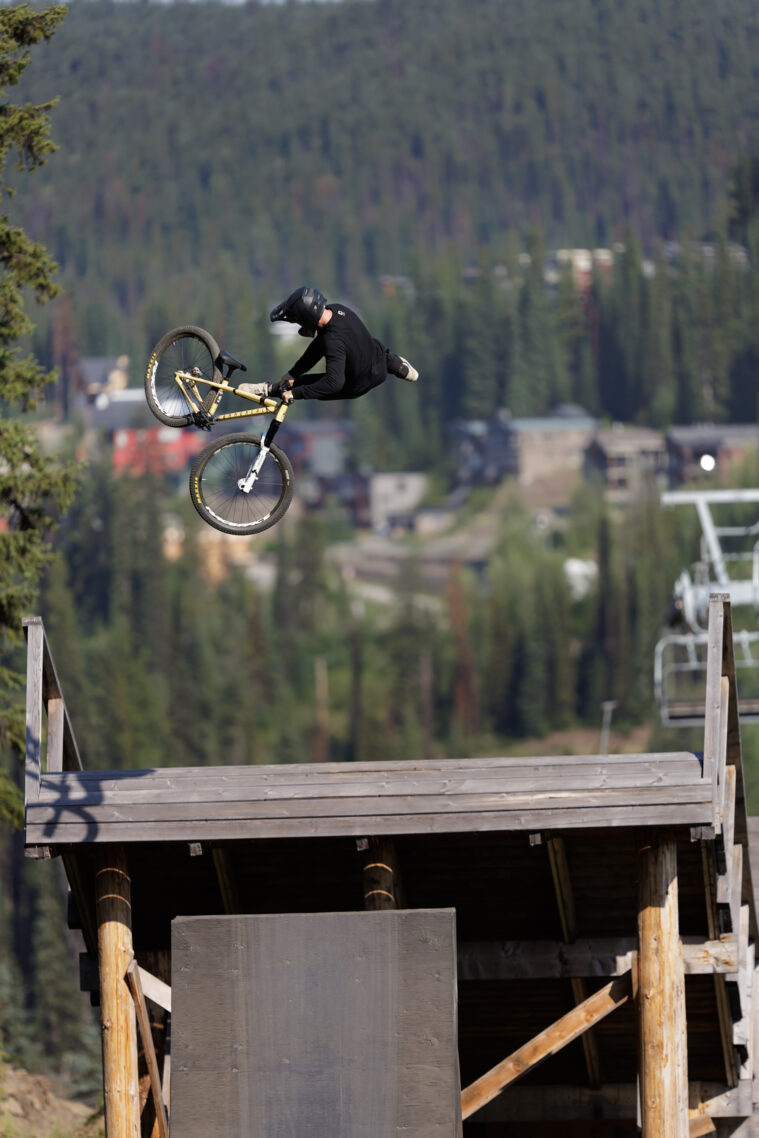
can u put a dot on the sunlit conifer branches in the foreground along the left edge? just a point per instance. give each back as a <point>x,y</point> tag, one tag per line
<point>34,489</point>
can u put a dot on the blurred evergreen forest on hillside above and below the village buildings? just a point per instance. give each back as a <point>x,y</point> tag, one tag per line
<point>425,162</point>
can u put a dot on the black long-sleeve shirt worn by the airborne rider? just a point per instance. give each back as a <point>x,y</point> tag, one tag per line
<point>356,361</point>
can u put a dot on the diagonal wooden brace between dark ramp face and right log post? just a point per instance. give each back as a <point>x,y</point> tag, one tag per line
<point>548,1043</point>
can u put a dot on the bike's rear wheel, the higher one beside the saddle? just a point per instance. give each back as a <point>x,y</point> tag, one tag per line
<point>181,350</point>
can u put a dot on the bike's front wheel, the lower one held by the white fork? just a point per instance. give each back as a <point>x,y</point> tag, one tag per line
<point>216,491</point>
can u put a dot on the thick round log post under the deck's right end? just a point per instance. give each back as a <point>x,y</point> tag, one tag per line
<point>662,996</point>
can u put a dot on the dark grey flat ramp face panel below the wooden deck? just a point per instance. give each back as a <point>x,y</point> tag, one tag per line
<point>316,1026</point>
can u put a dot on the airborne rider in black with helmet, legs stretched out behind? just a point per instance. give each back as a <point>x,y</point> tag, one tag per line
<point>356,362</point>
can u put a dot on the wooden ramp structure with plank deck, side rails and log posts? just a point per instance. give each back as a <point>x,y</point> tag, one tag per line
<point>605,912</point>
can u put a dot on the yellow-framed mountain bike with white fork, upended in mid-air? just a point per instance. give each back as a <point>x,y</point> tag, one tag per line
<point>241,484</point>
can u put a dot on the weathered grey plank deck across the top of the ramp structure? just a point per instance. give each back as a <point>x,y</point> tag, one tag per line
<point>329,801</point>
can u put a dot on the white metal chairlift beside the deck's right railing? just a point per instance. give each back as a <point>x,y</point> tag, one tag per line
<point>681,656</point>
